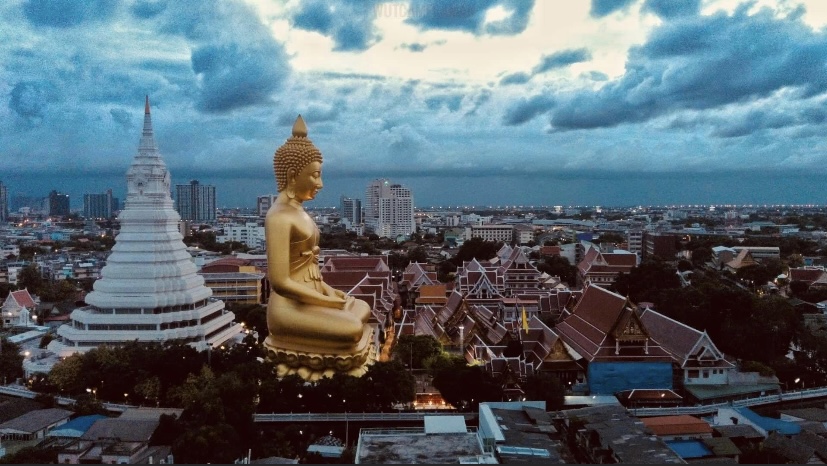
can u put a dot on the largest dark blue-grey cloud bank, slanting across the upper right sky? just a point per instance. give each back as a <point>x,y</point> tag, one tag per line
<point>703,62</point>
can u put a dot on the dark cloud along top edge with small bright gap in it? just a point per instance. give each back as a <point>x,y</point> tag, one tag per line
<point>467,15</point>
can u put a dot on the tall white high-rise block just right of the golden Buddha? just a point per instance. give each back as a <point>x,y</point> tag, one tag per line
<point>389,209</point>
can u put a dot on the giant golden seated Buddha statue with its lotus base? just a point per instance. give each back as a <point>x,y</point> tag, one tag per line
<point>315,330</point>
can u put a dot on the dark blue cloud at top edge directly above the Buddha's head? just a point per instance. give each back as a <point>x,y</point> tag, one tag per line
<point>348,23</point>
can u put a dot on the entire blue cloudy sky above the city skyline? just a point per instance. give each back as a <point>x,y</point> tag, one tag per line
<point>610,102</point>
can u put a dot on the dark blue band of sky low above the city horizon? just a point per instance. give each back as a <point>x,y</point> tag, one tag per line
<point>596,189</point>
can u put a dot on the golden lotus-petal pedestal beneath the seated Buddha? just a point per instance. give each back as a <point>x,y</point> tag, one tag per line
<point>314,363</point>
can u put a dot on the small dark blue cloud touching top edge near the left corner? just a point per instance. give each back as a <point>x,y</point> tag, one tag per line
<point>63,14</point>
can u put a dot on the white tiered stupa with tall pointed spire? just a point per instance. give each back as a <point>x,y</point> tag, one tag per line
<point>148,290</point>
